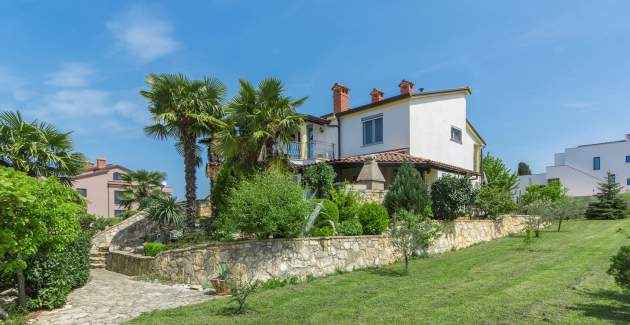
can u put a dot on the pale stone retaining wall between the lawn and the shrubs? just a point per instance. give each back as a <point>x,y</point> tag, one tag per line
<point>301,257</point>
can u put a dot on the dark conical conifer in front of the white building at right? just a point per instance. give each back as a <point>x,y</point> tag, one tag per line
<point>609,204</point>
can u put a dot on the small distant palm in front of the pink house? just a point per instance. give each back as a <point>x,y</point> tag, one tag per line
<point>141,184</point>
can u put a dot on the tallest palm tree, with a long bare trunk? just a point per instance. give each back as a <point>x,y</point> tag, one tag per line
<point>184,110</point>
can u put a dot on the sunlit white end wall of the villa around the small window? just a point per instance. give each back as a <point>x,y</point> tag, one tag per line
<point>431,119</point>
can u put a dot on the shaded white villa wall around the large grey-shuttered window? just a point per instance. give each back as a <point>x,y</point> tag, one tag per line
<point>395,130</point>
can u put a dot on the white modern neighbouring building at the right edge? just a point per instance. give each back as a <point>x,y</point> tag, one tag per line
<point>582,168</point>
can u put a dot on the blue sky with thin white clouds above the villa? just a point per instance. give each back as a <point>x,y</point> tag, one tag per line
<point>545,75</point>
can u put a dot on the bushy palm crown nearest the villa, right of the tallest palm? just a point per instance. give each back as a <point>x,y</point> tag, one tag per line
<point>258,119</point>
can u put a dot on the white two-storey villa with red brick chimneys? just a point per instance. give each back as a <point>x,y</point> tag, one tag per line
<point>427,128</point>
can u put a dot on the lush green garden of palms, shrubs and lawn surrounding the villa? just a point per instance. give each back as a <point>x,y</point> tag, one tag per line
<point>255,194</point>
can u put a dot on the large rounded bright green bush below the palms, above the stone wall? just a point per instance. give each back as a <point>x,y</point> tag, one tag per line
<point>266,204</point>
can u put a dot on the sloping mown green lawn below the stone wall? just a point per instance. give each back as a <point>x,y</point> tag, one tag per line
<point>559,279</point>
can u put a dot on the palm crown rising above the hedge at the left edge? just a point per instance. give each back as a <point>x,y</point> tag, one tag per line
<point>38,148</point>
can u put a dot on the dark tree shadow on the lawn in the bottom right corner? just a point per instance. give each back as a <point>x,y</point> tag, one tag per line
<point>612,306</point>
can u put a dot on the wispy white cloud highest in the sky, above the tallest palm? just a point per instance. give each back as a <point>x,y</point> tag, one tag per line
<point>144,36</point>
